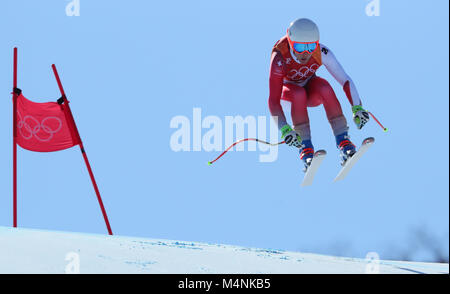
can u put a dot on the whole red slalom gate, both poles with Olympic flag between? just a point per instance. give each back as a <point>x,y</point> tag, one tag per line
<point>45,127</point>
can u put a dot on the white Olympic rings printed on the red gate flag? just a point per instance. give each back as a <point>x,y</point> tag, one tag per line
<point>31,132</point>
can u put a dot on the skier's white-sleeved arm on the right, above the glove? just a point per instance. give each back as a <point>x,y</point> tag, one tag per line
<point>337,71</point>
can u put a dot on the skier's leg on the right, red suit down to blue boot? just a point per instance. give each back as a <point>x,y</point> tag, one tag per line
<point>319,90</point>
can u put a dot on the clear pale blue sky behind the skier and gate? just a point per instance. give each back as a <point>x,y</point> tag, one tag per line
<point>129,67</point>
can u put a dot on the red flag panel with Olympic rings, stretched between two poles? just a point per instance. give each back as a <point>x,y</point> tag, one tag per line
<point>43,127</point>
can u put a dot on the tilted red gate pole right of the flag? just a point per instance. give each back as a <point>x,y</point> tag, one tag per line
<point>91,174</point>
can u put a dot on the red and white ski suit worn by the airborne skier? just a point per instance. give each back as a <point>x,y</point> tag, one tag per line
<point>298,83</point>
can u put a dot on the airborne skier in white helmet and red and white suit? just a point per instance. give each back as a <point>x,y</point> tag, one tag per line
<point>294,62</point>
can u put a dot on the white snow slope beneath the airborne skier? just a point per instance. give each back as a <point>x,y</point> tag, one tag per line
<point>36,251</point>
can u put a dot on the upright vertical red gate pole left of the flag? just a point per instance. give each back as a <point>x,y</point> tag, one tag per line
<point>14,140</point>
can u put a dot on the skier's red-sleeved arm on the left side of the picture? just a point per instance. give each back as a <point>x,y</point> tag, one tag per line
<point>276,87</point>
